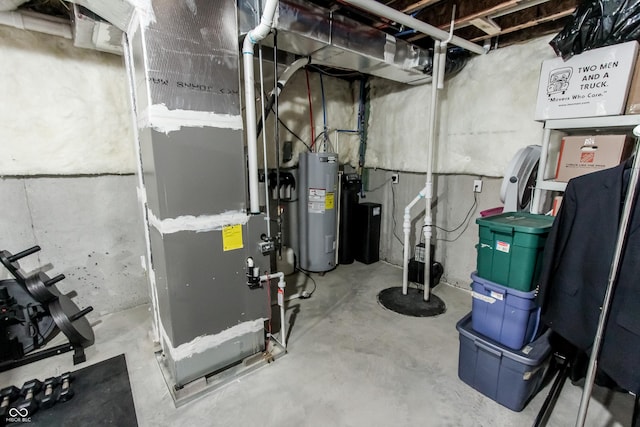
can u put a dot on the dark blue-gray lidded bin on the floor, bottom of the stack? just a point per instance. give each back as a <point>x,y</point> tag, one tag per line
<point>509,377</point>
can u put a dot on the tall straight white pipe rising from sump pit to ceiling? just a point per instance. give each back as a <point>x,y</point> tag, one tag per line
<point>428,219</point>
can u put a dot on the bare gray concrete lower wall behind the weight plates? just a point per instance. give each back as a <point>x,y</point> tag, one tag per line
<point>89,229</point>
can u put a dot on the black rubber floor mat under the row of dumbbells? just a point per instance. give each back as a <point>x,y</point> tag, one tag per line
<point>102,397</point>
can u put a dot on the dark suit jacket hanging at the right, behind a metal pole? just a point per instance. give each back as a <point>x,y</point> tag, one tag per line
<point>575,272</point>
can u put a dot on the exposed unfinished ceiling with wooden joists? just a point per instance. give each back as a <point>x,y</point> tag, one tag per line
<point>499,22</point>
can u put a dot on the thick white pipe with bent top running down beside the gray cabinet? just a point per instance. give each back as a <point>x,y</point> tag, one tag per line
<point>253,37</point>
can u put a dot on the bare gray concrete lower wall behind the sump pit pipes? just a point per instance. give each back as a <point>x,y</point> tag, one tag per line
<point>453,202</point>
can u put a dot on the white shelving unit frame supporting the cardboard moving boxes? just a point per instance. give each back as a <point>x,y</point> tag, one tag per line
<point>593,125</point>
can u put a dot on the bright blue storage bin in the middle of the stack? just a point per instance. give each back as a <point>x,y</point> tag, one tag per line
<point>504,314</point>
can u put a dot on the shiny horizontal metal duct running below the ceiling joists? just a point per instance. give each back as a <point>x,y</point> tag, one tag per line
<point>308,30</point>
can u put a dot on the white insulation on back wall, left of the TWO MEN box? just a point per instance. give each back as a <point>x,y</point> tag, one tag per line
<point>486,115</point>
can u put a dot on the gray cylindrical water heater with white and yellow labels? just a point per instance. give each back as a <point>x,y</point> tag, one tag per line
<point>317,207</point>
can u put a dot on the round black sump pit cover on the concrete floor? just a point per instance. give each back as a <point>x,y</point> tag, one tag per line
<point>412,304</point>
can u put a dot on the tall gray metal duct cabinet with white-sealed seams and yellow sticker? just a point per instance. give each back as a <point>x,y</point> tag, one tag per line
<point>184,67</point>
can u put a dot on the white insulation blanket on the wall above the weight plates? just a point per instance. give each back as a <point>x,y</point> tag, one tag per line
<point>65,110</point>
